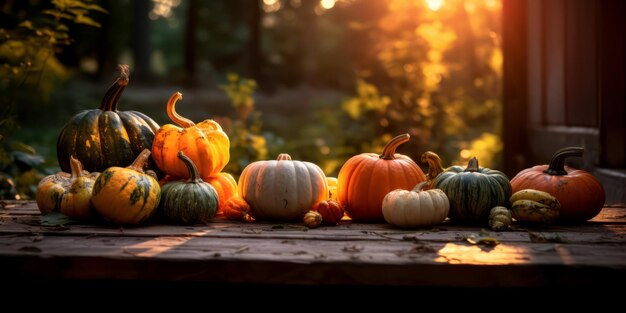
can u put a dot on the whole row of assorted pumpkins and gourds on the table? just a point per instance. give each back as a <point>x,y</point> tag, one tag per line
<point>175,171</point>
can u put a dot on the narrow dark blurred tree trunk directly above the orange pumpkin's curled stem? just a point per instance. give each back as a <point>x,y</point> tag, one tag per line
<point>190,56</point>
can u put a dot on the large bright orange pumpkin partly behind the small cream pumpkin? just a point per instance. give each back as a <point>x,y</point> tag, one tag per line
<point>365,179</point>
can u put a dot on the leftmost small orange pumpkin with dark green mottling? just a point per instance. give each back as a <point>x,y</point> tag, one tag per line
<point>69,194</point>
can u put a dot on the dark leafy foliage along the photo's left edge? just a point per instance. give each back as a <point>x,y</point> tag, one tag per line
<point>29,71</point>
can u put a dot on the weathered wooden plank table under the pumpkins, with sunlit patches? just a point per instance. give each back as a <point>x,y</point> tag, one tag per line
<point>290,254</point>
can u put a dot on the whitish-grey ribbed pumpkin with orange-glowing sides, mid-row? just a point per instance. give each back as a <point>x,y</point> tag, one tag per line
<point>282,189</point>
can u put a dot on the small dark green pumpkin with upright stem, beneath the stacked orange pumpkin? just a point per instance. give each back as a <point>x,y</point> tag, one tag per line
<point>188,202</point>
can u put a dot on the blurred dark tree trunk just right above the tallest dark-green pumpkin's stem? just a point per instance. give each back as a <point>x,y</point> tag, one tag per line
<point>142,45</point>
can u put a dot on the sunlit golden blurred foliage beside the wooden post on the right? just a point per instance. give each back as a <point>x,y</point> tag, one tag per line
<point>437,76</point>
